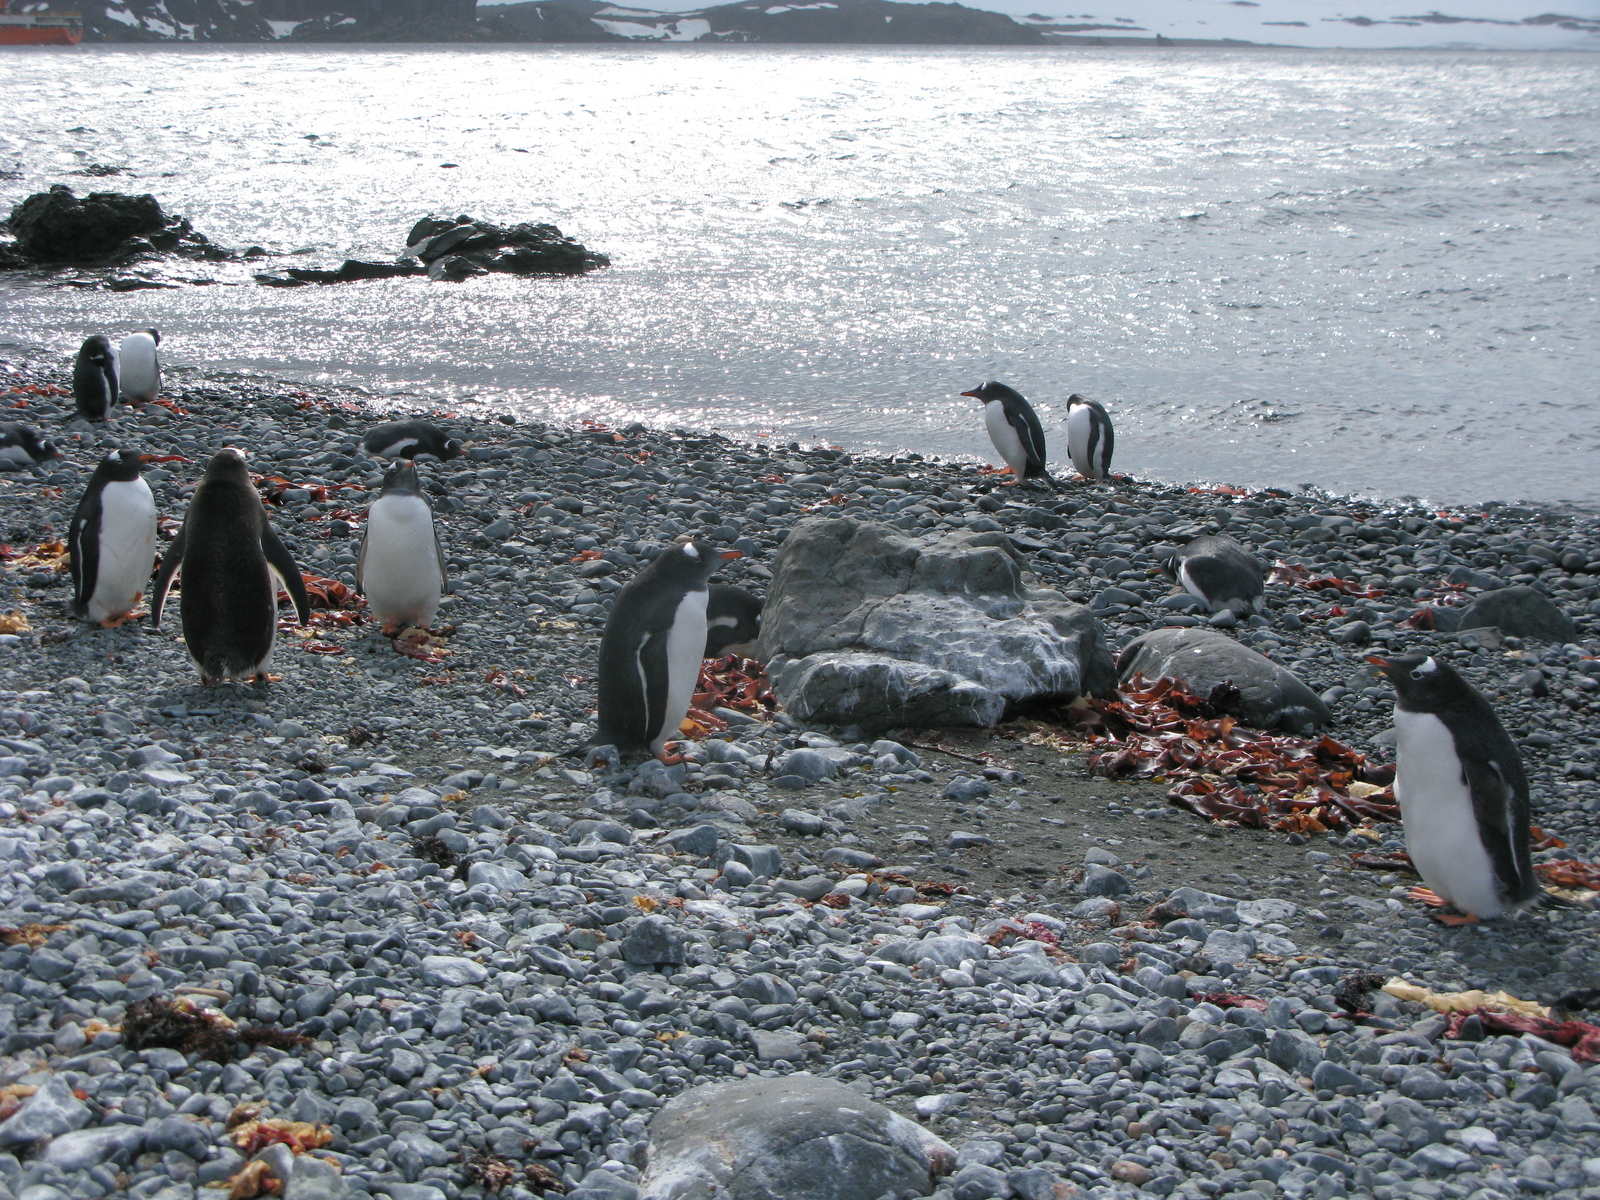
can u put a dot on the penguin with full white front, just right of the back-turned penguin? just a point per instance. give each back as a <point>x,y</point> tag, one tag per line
<point>402,567</point>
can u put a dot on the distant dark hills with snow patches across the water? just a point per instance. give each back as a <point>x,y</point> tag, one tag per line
<point>1370,25</point>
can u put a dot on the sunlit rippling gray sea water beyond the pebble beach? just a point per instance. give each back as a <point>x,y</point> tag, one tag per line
<point>1370,273</point>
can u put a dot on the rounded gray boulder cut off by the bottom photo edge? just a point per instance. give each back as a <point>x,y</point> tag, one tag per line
<point>791,1138</point>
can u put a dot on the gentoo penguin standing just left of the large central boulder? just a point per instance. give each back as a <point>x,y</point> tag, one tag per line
<point>652,650</point>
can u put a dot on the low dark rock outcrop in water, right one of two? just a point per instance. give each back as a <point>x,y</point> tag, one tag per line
<point>457,249</point>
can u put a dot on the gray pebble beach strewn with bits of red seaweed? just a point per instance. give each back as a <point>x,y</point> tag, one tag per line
<point>505,964</point>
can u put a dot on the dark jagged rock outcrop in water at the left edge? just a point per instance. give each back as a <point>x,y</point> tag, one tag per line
<point>103,228</point>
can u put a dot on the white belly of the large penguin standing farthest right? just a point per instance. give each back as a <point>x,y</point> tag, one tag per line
<point>1441,828</point>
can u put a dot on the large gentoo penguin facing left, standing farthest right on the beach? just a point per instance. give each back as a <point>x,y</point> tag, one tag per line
<point>1462,791</point>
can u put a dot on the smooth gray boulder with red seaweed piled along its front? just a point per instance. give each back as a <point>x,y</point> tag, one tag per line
<point>1201,660</point>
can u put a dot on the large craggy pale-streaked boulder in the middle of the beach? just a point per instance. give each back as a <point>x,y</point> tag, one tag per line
<point>870,626</point>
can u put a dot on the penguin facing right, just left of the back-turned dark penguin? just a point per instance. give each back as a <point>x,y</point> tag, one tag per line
<point>113,540</point>
